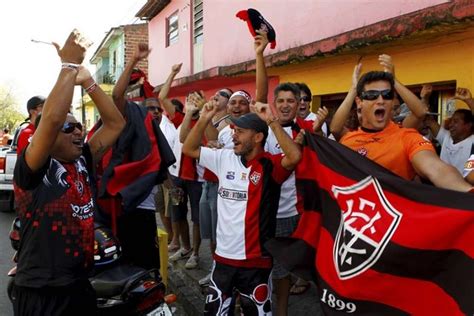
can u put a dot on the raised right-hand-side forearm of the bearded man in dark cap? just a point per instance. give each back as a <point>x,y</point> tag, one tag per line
<point>288,146</point>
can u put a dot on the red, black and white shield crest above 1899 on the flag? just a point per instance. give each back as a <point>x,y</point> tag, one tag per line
<point>368,222</point>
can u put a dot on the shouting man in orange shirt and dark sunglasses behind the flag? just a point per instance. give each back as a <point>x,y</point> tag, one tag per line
<point>401,150</point>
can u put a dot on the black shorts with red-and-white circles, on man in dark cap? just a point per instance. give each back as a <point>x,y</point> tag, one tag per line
<point>253,284</point>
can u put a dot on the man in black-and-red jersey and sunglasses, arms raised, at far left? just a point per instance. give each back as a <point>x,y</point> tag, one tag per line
<point>54,199</point>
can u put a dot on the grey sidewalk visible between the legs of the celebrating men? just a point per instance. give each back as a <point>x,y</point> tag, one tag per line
<point>184,283</point>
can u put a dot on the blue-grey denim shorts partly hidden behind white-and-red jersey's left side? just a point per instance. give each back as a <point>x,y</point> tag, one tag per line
<point>208,211</point>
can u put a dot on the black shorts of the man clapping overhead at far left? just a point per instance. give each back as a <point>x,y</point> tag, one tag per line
<point>77,299</point>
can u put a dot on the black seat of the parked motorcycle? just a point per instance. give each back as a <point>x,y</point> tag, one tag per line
<point>112,282</point>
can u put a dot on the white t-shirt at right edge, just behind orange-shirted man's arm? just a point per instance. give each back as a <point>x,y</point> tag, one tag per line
<point>454,154</point>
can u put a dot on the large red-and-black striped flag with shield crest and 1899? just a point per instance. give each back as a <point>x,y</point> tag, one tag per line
<point>377,244</point>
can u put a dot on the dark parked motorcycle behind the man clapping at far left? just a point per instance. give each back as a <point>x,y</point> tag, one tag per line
<point>121,288</point>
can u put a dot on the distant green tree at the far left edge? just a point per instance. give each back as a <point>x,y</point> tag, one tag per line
<point>10,116</point>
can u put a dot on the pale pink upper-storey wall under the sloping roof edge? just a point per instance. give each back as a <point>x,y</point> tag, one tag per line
<point>297,22</point>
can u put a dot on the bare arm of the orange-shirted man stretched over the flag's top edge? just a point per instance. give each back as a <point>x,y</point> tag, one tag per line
<point>428,165</point>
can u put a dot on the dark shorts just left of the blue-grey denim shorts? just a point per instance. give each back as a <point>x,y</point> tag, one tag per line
<point>193,191</point>
